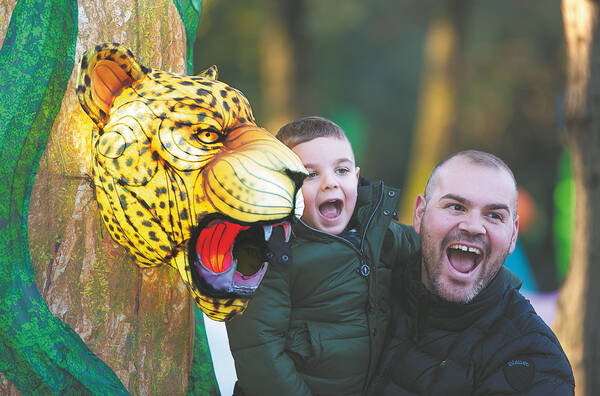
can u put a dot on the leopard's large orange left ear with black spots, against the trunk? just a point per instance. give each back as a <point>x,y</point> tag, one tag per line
<point>103,73</point>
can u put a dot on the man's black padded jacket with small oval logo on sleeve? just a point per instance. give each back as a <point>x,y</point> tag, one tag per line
<point>495,345</point>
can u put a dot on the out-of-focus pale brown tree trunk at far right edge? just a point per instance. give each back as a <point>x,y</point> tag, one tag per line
<point>577,320</point>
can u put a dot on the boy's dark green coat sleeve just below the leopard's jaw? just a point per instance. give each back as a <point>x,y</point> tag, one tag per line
<point>257,340</point>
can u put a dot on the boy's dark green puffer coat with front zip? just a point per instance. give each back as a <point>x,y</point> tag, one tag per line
<point>317,327</point>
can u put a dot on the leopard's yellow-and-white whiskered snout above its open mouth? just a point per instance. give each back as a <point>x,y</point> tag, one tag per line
<point>257,178</point>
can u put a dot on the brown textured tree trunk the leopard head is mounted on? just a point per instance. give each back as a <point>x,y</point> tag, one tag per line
<point>138,321</point>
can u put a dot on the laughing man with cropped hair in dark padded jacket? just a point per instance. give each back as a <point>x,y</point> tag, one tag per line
<point>459,327</point>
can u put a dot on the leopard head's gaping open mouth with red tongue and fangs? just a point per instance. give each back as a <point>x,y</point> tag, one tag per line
<point>229,258</point>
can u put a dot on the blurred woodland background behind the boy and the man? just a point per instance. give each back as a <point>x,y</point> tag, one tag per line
<point>458,74</point>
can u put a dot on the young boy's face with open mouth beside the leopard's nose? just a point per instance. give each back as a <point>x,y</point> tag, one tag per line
<point>330,189</point>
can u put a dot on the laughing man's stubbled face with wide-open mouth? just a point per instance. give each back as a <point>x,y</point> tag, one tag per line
<point>467,228</point>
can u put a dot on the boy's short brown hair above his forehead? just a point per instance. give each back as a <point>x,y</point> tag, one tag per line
<point>308,128</point>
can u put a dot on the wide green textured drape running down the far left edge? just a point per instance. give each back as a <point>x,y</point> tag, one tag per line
<point>39,353</point>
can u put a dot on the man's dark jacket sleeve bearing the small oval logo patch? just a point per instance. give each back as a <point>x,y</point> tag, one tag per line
<point>530,365</point>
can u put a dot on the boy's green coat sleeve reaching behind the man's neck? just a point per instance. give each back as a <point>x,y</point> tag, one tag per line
<point>401,244</point>
